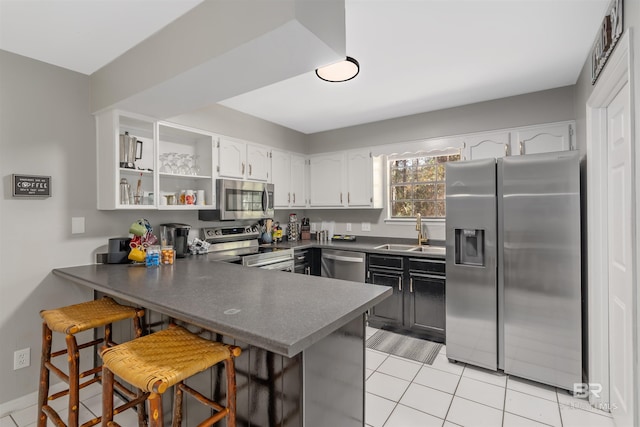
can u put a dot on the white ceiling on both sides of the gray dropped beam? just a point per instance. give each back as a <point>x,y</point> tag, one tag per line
<point>415,55</point>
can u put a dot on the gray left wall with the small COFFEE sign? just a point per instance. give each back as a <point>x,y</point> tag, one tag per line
<point>46,128</point>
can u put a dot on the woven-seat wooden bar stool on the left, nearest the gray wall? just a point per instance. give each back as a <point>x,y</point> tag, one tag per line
<point>71,320</point>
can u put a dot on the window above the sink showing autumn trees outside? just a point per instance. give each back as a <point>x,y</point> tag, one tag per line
<point>417,185</point>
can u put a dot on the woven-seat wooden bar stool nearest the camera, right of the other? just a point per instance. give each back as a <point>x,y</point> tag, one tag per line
<point>163,359</point>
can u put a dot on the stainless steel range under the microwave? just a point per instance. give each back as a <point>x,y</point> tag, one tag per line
<point>239,244</point>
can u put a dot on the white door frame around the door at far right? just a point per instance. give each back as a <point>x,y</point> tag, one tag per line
<point>617,73</point>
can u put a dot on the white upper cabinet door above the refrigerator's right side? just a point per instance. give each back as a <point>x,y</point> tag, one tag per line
<point>542,139</point>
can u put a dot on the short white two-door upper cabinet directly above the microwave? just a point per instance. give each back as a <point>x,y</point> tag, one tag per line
<point>241,160</point>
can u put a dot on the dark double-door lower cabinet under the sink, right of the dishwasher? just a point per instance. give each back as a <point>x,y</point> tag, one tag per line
<point>417,306</point>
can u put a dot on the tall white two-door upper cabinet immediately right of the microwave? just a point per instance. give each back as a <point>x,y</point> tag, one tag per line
<point>289,179</point>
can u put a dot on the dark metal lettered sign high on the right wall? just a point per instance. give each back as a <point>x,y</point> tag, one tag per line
<point>610,32</point>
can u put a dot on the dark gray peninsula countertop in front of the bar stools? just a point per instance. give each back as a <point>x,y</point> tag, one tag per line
<point>281,312</point>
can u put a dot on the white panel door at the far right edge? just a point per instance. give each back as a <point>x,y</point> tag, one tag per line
<point>620,235</point>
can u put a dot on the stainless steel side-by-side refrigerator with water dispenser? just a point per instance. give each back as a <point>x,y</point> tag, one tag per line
<point>513,290</point>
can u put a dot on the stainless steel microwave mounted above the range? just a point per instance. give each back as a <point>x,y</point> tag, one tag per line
<point>237,200</point>
